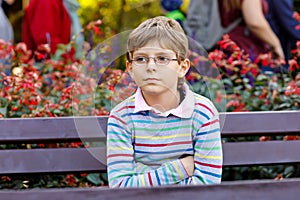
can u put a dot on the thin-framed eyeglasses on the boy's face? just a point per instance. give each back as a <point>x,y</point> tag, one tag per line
<point>159,60</point>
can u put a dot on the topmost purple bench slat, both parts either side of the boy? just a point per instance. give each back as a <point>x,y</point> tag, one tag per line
<point>94,128</point>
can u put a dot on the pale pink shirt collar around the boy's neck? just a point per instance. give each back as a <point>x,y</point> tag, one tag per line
<point>184,110</point>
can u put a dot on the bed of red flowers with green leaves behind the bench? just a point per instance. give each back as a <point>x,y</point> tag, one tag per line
<point>64,86</point>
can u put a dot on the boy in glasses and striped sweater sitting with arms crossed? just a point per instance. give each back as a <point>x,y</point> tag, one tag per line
<point>164,134</point>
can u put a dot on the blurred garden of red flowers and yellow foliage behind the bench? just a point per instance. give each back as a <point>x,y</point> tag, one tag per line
<point>92,84</point>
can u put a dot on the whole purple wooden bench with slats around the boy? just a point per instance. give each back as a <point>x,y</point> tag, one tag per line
<point>91,129</point>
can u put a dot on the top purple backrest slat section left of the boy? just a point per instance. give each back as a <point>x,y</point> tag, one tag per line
<point>63,129</point>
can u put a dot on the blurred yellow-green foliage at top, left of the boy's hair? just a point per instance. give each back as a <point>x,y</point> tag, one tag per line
<point>118,15</point>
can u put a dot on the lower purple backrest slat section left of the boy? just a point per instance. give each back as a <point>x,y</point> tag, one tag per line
<point>53,160</point>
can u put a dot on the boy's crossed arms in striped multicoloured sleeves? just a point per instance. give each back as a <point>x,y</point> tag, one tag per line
<point>204,167</point>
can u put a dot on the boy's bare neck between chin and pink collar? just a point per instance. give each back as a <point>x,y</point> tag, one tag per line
<point>163,102</point>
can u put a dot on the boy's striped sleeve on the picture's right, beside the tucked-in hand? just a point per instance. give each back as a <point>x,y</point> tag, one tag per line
<point>208,156</point>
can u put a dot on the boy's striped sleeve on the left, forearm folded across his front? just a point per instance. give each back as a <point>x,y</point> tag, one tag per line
<point>121,165</point>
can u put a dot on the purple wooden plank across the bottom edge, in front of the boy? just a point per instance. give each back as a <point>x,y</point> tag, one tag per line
<point>245,190</point>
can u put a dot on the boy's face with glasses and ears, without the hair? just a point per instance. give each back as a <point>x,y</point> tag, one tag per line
<point>155,78</point>
